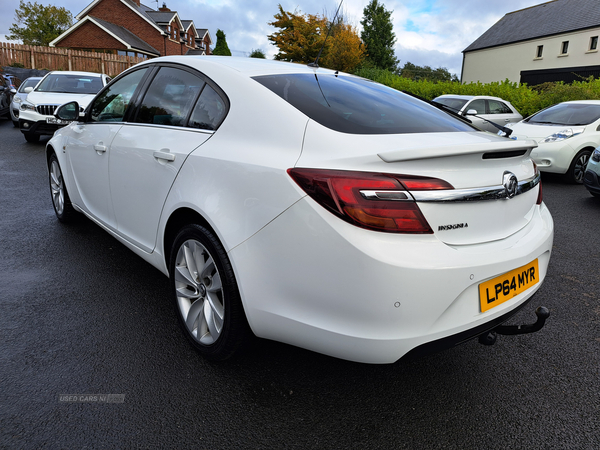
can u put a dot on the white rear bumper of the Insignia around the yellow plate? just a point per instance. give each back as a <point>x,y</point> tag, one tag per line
<point>373,297</point>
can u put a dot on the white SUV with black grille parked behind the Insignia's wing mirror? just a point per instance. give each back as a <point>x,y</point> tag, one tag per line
<point>36,115</point>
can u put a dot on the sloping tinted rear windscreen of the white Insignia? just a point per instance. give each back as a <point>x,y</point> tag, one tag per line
<point>358,106</point>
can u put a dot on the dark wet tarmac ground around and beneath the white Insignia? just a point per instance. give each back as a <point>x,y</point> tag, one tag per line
<point>82,315</point>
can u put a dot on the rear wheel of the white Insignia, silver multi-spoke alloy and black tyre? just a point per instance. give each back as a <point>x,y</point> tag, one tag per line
<point>206,295</point>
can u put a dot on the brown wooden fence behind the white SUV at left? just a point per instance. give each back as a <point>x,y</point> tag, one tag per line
<point>52,58</point>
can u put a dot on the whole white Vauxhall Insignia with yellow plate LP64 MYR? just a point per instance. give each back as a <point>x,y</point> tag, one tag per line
<point>306,206</point>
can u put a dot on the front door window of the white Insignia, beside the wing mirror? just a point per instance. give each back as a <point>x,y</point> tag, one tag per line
<point>112,104</point>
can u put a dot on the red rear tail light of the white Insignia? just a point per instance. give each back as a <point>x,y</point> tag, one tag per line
<point>375,201</point>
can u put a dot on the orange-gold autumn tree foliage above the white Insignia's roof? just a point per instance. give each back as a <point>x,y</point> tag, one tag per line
<point>301,37</point>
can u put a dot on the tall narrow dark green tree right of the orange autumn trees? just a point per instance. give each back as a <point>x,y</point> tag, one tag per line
<point>378,36</point>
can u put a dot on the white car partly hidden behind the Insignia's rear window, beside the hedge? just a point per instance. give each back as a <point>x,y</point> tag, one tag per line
<point>481,110</point>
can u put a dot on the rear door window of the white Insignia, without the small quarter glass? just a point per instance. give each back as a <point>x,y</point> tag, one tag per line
<point>170,97</point>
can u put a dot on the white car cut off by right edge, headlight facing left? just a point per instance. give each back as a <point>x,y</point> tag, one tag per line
<point>566,134</point>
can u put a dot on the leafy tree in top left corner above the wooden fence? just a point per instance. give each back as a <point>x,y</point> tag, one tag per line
<point>42,24</point>
